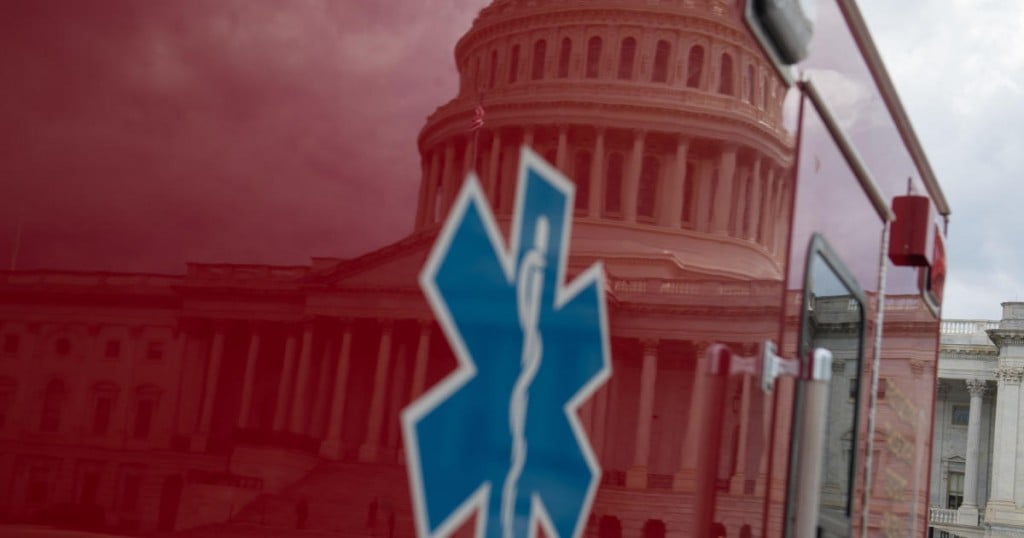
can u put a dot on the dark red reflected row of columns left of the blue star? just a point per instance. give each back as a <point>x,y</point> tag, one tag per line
<point>312,393</point>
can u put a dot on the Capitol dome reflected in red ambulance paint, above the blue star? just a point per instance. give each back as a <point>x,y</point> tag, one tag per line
<point>665,115</point>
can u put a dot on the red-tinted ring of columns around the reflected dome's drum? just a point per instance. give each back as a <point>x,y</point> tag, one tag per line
<point>633,176</point>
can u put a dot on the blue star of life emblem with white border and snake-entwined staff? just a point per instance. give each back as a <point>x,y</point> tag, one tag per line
<point>500,437</point>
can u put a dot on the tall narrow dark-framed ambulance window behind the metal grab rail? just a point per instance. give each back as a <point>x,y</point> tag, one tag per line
<point>834,319</point>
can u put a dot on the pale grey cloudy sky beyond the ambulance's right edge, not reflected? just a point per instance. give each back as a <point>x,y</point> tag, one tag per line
<point>959,66</point>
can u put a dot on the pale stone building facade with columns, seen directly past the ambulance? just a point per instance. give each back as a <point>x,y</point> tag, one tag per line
<point>977,487</point>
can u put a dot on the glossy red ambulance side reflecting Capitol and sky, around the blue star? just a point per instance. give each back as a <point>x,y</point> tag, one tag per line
<point>220,214</point>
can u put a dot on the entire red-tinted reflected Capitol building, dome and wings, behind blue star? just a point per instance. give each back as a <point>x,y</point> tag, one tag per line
<point>222,399</point>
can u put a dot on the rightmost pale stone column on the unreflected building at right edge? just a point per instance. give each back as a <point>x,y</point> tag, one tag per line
<point>1002,505</point>
